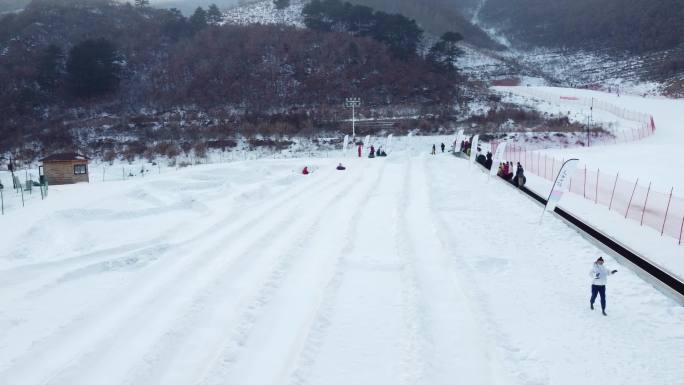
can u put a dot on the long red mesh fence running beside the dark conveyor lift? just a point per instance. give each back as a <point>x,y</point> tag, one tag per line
<point>637,201</point>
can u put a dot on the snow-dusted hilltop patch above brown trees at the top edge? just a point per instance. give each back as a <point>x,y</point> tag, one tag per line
<point>265,12</point>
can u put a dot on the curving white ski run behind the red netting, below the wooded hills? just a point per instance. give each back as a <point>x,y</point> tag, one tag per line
<point>653,159</point>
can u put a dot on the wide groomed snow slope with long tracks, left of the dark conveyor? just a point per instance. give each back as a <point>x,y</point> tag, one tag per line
<point>412,269</point>
